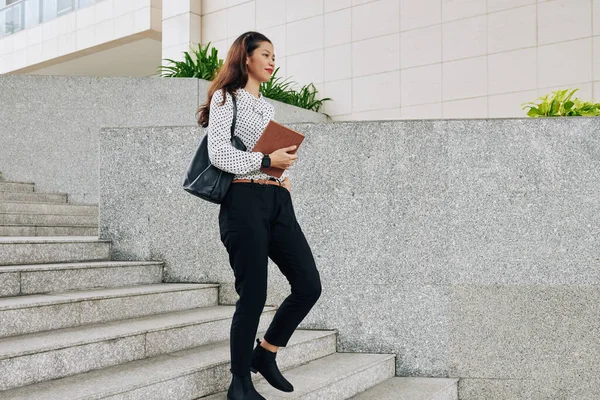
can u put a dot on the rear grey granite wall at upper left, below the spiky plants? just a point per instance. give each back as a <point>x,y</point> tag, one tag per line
<point>49,125</point>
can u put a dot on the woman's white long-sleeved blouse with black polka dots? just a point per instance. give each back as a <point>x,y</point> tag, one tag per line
<point>253,115</point>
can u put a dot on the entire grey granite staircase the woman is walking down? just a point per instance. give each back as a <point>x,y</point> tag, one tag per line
<point>76,325</point>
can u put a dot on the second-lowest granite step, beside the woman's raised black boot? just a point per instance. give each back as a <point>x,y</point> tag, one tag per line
<point>337,376</point>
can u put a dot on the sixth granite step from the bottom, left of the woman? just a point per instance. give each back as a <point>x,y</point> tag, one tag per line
<point>45,278</point>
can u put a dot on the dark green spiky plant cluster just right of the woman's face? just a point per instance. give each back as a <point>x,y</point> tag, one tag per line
<point>281,90</point>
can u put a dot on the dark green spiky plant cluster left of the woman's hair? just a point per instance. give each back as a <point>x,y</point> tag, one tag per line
<point>205,67</point>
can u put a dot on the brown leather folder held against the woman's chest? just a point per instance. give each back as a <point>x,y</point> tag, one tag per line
<point>275,137</point>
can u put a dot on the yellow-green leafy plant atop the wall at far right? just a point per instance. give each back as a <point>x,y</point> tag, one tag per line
<point>560,104</point>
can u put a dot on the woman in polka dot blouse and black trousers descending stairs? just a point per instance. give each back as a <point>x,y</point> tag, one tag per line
<point>256,218</point>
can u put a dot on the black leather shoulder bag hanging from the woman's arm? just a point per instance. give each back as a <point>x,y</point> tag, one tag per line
<point>203,179</point>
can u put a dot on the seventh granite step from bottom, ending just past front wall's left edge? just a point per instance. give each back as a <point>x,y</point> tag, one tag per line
<point>52,249</point>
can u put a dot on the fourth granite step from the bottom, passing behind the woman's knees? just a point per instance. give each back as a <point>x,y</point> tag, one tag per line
<point>72,351</point>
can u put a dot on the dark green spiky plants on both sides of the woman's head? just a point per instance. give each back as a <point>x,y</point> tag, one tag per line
<point>206,67</point>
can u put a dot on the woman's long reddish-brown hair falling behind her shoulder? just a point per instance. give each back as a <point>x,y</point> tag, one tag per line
<point>234,72</point>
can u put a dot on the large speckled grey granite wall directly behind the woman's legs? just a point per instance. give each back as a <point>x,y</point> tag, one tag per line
<point>470,248</point>
